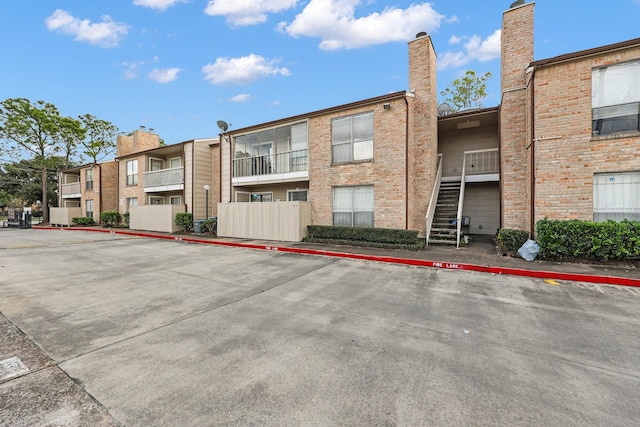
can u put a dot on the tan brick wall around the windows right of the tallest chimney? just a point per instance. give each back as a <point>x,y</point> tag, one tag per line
<point>567,156</point>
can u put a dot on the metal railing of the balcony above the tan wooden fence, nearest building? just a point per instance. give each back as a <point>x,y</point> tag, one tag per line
<point>289,161</point>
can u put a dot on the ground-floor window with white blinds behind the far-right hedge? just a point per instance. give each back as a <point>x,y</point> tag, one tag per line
<point>616,196</point>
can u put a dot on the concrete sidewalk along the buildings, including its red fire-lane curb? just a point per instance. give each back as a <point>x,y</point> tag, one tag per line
<point>480,255</point>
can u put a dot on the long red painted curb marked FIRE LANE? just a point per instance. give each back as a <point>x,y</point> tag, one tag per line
<point>541,274</point>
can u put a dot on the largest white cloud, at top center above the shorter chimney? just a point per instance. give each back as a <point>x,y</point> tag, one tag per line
<point>335,23</point>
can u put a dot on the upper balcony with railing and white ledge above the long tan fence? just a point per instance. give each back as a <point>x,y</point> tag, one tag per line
<point>289,164</point>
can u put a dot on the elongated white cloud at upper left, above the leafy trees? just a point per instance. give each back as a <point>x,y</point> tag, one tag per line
<point>107,33</point>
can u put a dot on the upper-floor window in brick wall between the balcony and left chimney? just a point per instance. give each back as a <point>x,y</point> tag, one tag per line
<point>352,138</point>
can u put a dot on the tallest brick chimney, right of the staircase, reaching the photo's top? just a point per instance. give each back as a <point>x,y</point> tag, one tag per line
<point>517,54</point>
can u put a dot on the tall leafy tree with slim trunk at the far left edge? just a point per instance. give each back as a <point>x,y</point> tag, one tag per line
<point>35,129</point>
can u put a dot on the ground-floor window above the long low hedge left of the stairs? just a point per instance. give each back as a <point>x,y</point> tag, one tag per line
<point>353,206</point>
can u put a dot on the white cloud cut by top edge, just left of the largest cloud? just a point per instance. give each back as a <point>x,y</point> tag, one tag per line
<point>241,13</point>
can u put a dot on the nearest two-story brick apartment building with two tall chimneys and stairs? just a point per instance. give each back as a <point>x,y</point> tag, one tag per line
<point>563,143</point>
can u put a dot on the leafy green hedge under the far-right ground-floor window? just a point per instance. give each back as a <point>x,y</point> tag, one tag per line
<point>597,241</point>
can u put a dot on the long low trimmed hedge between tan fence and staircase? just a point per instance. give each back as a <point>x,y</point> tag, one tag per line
<point>365,236</point>
